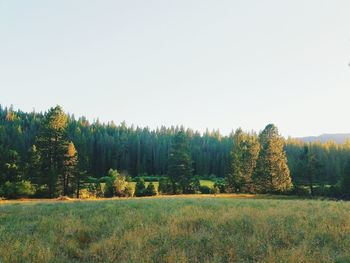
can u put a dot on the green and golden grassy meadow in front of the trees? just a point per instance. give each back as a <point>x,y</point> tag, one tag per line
<point>176,229</point>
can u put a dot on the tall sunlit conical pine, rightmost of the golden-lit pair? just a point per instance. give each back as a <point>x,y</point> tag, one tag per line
<point>272,172</point>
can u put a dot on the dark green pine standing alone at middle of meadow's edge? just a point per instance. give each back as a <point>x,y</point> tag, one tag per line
<point>180,164</point>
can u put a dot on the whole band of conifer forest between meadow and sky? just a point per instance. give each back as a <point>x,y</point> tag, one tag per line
<point>53,153</point>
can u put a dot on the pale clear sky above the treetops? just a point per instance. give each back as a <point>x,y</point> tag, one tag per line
<point>203,64</point>
